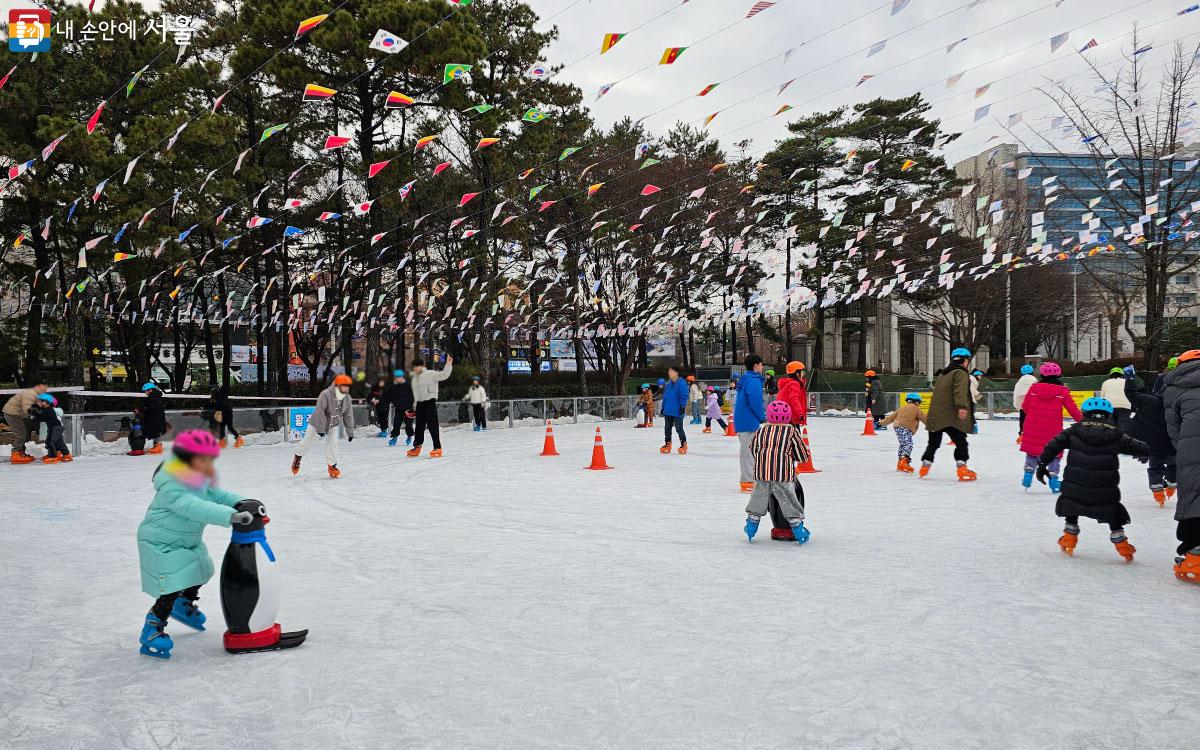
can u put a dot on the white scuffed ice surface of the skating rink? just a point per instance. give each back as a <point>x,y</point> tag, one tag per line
<point>499,599</point>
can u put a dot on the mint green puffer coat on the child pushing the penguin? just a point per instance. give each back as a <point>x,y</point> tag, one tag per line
<point>171,538</point>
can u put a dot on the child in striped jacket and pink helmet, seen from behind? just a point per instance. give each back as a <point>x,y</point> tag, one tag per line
<point>777,448</point>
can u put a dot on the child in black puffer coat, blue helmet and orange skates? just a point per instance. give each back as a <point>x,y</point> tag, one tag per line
<point>1091,482</point>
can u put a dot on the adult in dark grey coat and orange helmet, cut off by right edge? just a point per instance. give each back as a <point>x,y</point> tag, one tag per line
<point>1183,401</point>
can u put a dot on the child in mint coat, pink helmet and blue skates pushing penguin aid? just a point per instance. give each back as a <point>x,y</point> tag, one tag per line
<point>171,539</point>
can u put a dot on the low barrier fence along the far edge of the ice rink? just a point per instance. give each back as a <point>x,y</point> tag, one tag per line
<point>101,433</point>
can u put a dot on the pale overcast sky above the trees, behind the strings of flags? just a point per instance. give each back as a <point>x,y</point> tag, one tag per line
<point>1007,45</point>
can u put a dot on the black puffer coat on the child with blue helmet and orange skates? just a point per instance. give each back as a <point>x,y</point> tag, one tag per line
<point>1091,481</point>
